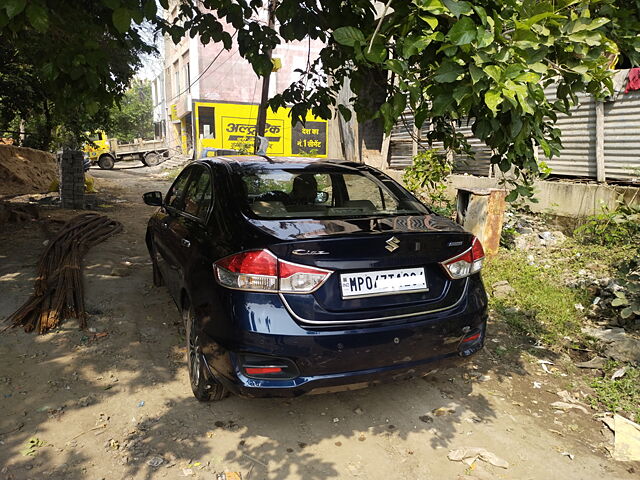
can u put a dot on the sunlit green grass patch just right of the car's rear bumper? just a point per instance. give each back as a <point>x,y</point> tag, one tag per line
<point>541,306</point>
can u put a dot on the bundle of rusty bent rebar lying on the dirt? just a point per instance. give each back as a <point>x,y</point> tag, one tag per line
<point>58,291</point>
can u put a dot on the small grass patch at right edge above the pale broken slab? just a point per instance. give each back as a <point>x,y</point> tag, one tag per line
<point>621,395</point>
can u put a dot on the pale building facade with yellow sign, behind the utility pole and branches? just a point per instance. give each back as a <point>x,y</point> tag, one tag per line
<point>212,97</point>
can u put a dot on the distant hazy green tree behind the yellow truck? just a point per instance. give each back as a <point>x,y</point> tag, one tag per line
<point>132,117</point>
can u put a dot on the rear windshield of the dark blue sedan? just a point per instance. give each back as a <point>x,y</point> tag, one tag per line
<point>295,193</point>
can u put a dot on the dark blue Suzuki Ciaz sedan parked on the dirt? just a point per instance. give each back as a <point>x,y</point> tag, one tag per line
<point>306,276</point>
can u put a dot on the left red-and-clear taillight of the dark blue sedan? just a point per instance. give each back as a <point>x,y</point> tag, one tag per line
<point>261,270</point>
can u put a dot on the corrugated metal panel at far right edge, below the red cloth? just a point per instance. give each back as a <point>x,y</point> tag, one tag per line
<point>622,137</point>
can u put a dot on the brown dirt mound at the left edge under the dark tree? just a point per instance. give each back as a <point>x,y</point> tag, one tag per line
<point>25,170</point>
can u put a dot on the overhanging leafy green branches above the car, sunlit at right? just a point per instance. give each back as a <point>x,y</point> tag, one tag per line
<point>485,62</point>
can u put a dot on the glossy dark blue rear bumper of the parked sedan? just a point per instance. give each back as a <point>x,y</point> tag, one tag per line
<point>340,359</point>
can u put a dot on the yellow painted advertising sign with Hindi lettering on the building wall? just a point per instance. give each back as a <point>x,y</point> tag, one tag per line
<point>232,126</point>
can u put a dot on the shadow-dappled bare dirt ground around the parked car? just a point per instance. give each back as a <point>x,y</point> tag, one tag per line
<point>113,402</point>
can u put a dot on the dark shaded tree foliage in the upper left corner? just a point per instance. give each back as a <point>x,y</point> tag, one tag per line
<point>65,63</point>
